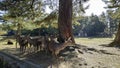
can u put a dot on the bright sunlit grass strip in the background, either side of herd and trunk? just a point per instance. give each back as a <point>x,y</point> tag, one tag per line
<point>83,41</point>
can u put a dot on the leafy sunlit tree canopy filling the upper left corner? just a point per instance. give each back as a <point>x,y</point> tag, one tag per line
<point>18,12</point>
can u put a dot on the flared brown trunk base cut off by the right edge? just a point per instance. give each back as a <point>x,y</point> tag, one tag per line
<point>116,41</point>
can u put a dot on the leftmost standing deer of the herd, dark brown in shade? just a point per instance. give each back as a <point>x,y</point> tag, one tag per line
<point>22,42</point>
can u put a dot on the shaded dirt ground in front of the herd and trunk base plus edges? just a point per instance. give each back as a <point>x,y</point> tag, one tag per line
<point>44,59</point>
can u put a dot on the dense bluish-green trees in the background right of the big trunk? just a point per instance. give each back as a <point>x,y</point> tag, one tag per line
<point>92,26</point>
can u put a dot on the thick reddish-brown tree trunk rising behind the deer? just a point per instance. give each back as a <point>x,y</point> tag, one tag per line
<point>65,20</point>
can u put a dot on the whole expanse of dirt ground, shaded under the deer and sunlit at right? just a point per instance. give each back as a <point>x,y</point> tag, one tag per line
<point>94,54</point>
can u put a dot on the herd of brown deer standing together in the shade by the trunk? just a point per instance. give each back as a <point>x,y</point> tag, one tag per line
<point>38,43</point>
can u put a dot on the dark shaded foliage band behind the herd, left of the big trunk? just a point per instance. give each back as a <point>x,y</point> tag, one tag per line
<point>42,31</point>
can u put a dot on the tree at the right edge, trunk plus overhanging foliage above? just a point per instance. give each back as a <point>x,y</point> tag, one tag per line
<point>116,15</point>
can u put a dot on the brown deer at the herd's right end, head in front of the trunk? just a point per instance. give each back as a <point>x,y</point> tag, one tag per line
<point>55,48</point>
